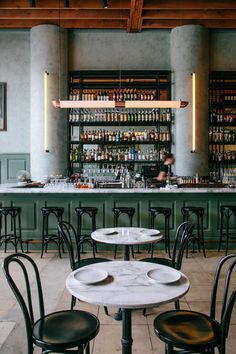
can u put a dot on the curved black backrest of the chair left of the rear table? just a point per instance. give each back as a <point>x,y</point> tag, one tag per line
<point>71,241</point>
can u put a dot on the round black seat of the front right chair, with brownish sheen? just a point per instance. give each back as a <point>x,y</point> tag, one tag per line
<point>187,329</point>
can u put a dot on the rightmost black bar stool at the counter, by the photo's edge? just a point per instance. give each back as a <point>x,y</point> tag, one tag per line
<point>226,211</point>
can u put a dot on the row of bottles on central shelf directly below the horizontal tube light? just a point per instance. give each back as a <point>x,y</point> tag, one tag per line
<point>116,115</point>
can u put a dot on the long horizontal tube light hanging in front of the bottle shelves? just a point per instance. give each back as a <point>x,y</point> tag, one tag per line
<point>116,104</point>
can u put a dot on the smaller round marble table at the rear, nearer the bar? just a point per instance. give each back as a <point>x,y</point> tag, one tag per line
<point>126,236</point>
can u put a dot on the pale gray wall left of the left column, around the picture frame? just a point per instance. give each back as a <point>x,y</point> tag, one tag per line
<point>15,71</point>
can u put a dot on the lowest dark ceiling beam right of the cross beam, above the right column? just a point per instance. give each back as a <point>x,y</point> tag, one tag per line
<point>157,24</point>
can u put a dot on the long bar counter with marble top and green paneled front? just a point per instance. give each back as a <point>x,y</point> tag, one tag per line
<point>31,200</point>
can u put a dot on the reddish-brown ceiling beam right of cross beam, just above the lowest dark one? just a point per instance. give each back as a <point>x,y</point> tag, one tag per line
<point>189,14</point>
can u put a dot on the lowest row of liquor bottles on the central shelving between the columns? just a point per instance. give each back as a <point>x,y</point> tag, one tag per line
<point>129,154</point>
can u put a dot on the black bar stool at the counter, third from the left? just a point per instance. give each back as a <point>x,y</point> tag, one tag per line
<point>85,238</point>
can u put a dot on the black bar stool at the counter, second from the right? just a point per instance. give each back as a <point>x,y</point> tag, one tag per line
<point>198,212</point>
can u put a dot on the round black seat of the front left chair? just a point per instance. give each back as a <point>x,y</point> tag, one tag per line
<point>66,329</point>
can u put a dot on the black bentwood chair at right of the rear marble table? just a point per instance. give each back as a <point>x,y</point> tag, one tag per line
<point>182,237</point>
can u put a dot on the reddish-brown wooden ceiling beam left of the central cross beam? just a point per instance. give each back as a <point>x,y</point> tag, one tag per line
<point>64,14</point>
